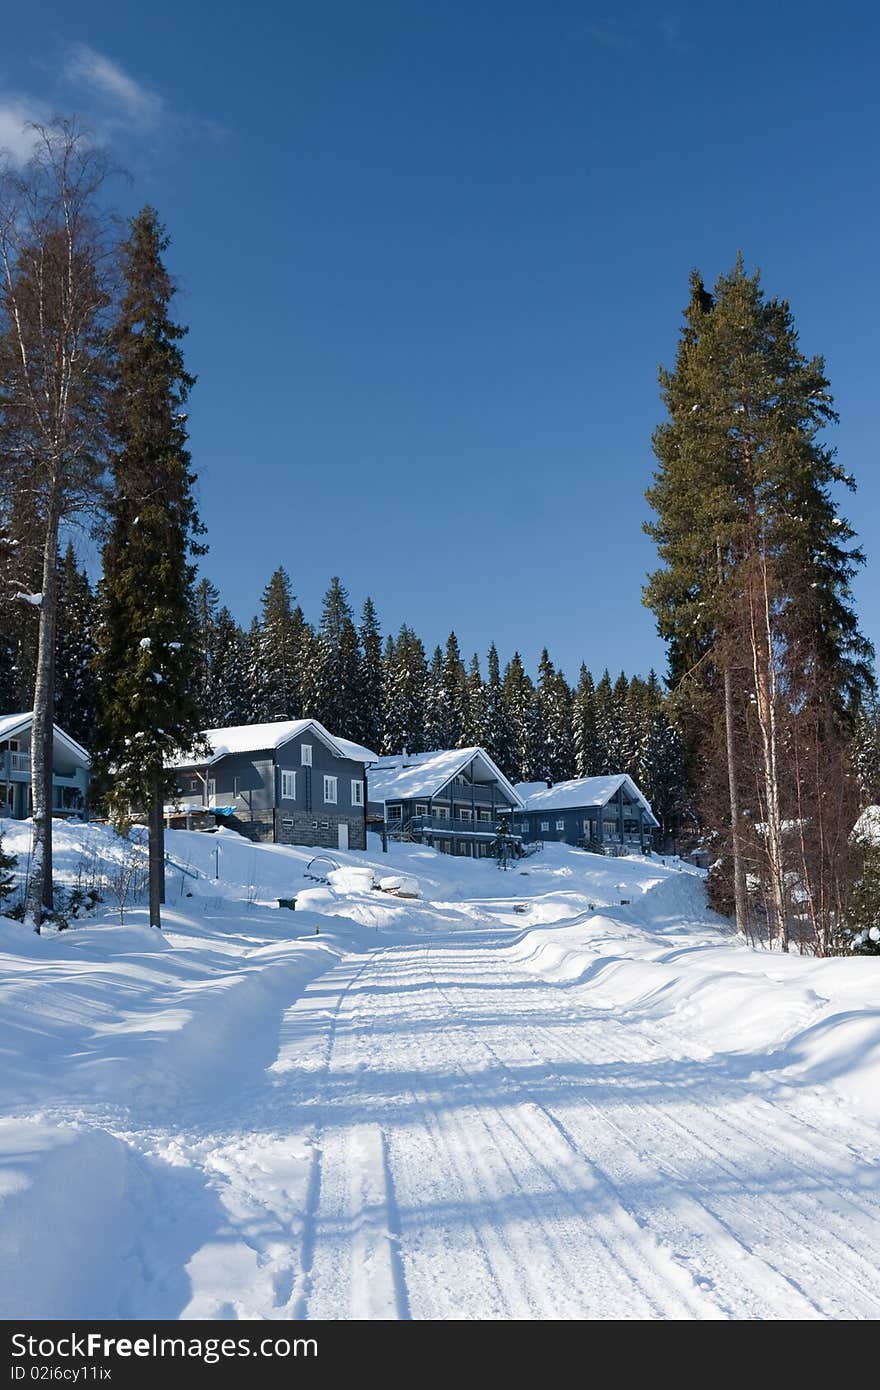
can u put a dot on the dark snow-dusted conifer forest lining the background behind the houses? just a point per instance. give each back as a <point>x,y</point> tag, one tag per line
<point>382,692</point>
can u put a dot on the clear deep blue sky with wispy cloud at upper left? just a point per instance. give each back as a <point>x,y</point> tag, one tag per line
<point>432,256</point>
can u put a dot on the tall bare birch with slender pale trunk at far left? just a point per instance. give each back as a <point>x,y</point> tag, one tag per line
<point>56,294</point>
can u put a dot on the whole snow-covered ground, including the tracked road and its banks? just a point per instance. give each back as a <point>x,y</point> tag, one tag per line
<point>560,1092</point>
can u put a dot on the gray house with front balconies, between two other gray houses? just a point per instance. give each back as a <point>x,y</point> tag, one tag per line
<point>453,800</point>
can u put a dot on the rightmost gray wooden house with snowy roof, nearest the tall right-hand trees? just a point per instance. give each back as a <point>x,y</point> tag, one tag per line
<point>590,812</point>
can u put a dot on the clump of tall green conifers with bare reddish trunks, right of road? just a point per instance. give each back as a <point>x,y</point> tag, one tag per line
<point>754,593</point>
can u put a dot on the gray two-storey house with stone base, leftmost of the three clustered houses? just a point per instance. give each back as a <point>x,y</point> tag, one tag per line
<point>291,783</point>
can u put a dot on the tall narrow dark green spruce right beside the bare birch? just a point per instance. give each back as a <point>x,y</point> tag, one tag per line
<point>148,646</point>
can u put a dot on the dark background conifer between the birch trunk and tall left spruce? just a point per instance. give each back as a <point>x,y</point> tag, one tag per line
<point>76,683</point>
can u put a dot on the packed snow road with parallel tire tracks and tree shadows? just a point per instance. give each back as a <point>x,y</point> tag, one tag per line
<point>448,1135</point>
